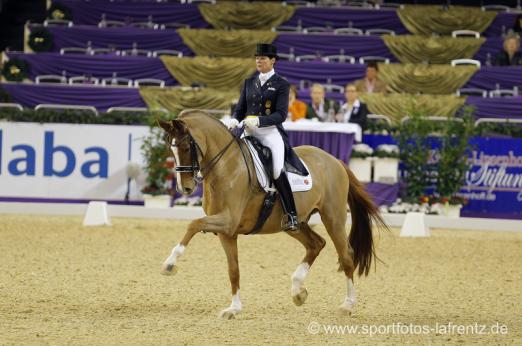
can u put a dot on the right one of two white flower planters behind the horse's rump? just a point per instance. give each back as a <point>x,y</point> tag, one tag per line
<point>386,164</point>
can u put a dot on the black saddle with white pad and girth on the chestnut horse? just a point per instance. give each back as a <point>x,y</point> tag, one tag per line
<point>262,158</point>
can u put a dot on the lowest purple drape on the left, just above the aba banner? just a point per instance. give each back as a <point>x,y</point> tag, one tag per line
<point>30,95</point>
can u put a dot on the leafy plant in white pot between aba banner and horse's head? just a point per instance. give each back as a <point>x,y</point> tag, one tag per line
<point>157,192</point>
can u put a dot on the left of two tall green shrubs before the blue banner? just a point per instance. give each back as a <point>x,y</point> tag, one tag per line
<point>414,148</point>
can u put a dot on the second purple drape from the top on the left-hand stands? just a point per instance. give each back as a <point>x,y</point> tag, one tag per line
<point>120,38</point>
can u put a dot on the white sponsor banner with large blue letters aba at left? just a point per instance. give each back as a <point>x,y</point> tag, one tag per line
<point>68,161</point>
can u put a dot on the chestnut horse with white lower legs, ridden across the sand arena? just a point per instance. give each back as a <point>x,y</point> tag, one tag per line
<point>206,150</point>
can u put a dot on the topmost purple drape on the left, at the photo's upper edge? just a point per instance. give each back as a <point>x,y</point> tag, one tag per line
<point>90,12</point>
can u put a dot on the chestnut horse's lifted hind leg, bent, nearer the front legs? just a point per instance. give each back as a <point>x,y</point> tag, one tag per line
<point>313,244</point>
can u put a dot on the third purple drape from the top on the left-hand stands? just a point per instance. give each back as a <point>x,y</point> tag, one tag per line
<point>100,66</point>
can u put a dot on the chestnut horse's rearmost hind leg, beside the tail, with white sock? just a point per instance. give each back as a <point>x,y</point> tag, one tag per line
<point>335,226</point>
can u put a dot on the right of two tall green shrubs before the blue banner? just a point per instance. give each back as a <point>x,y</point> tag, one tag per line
<point>454,153</point>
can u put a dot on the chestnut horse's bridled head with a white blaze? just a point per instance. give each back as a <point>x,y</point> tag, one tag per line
<point>185,151</point>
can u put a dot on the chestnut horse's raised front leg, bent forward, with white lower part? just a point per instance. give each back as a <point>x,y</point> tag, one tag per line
<point>214,223</point>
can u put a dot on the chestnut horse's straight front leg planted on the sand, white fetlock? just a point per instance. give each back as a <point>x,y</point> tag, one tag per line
<point>229,244</point>
